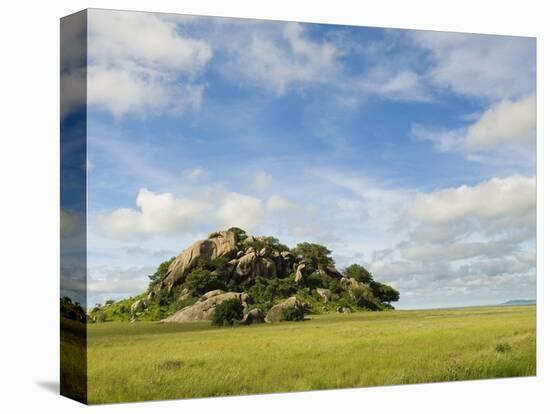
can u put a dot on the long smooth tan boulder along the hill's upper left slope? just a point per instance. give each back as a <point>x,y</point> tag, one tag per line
<point>222,243</point>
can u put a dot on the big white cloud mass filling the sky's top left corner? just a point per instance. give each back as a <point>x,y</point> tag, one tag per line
<point>140,63</point>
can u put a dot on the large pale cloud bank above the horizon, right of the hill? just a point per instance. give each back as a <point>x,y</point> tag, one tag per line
<point>464,242</point>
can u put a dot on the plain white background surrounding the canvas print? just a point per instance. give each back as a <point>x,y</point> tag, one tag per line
<point>29,194</point>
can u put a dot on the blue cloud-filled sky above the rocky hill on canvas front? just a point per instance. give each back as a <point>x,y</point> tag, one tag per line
<point>409,152</point>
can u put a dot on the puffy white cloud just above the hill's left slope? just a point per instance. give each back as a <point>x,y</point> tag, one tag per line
<point>157,213</point>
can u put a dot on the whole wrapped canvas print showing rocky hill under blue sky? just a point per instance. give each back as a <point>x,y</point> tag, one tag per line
<point>253,206</point>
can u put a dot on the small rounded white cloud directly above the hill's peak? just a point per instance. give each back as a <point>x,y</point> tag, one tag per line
<point>239,210</point>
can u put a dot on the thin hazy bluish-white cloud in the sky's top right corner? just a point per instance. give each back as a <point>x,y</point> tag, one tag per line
<point>481,66</point>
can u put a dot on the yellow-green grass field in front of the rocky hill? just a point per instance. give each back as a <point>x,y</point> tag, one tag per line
<point>149,360</point>
